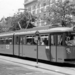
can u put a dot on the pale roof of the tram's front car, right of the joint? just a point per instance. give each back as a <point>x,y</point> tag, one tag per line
<point>44,30</point>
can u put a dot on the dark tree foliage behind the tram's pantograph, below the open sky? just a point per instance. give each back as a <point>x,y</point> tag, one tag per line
<point>18,21</point>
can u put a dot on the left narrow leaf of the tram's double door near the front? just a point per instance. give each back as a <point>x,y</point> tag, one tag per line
<point>53,47</point>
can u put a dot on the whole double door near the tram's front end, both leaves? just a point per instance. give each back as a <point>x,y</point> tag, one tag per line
<point>58,53</point>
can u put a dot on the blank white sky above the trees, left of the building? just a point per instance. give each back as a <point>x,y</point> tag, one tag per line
<point>9,7</point>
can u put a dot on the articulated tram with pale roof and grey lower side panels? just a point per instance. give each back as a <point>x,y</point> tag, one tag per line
<point>51,44</point>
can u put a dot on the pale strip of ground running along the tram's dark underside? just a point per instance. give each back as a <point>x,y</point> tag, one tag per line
<point>48,68</point>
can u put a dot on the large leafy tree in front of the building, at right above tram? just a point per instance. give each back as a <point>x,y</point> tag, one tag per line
<point>60,12</point>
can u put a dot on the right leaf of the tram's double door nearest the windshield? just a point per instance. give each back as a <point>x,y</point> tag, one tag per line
<point>60,48</point>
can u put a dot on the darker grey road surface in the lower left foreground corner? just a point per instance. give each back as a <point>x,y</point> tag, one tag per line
<point>12,69</point>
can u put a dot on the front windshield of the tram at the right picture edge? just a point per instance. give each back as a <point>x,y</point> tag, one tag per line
<point>70,39</point>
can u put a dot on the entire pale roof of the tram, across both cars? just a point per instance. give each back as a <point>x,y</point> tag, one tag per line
<point>44,29</point>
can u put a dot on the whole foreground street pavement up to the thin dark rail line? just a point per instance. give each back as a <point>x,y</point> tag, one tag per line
<point>11,68</point>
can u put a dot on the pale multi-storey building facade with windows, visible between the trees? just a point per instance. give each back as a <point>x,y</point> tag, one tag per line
<point>37,8</point>
